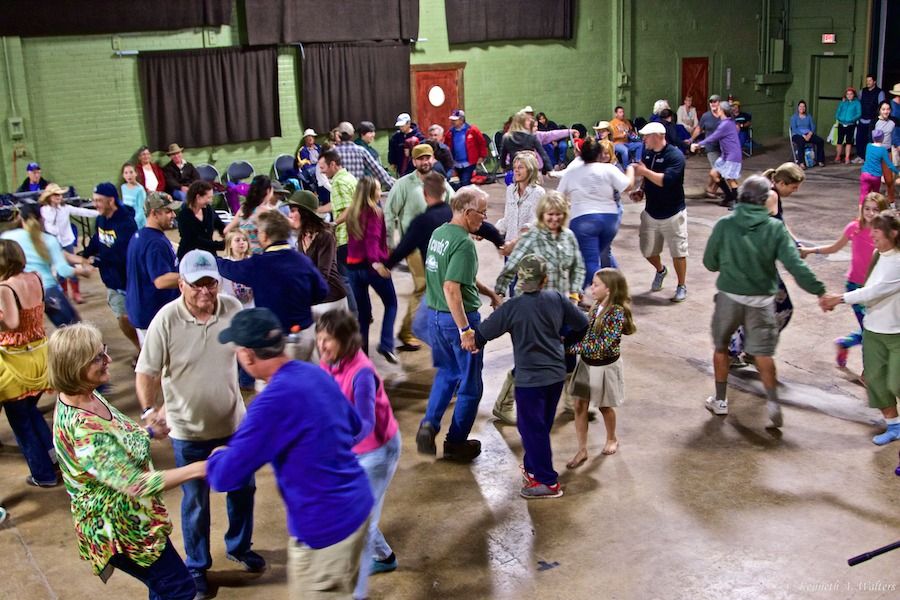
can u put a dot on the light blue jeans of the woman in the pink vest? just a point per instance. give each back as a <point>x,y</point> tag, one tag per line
<point>380,466</point>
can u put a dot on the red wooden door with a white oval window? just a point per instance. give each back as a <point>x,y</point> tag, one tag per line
<point>437,91</point>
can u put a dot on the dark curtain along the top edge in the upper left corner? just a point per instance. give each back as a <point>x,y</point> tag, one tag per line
<point>71,17</point>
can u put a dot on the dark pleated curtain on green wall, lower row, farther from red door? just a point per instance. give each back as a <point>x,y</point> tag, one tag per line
<point>207,97</point>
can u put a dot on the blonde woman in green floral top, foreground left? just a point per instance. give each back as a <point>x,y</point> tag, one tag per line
<point>120,519</point>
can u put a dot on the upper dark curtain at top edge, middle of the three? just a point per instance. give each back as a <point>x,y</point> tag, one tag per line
<point>303,21</point>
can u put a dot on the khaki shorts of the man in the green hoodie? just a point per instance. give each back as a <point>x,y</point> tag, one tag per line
<point>760,326</point>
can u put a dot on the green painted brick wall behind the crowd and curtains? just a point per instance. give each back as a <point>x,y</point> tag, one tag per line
<point>83,118</point>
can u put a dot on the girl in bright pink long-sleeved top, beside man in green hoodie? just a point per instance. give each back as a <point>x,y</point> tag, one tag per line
<point>859,233</point>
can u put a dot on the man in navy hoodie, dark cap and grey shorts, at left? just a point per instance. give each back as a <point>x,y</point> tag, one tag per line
<point>108,250</point>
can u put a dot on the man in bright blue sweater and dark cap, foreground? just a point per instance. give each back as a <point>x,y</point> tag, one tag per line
<point>302,424</point>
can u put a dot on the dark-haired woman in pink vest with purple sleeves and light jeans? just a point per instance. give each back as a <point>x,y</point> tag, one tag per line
<point>378,441</point>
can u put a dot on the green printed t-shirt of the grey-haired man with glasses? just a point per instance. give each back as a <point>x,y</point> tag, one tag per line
<point>451,257</point>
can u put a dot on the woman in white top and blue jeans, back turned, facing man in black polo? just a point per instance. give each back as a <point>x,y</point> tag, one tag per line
<point>593,191</point>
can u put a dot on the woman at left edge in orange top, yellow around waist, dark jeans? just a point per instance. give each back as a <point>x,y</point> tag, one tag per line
<point>23,362</point>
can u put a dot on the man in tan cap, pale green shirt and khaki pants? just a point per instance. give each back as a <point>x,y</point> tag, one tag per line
<point>405,202</point>
